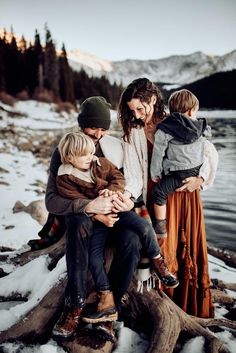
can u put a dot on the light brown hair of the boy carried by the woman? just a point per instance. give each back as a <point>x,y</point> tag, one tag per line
<point>181,101</point>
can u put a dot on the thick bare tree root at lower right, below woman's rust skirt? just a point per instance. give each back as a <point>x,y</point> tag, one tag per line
<point>168,320</point>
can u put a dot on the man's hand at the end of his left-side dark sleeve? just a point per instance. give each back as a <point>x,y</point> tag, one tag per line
<point>100,205</point>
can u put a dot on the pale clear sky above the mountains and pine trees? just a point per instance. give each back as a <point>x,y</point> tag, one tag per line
<point>127,29</point>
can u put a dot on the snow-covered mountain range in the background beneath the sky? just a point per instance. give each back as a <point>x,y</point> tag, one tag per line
<point>177,69</point>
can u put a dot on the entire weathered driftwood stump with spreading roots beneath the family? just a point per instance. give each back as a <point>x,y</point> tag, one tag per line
<point>153,313</point>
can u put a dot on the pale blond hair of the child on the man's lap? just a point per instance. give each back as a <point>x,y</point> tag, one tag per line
<point>75,144</point>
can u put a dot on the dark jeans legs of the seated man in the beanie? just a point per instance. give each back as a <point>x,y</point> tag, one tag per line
<point>80,229</point>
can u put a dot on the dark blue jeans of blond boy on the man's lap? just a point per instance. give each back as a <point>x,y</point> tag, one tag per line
<point>124,236</point>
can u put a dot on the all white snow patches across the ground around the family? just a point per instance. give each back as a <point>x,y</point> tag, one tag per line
<point>19,173</point>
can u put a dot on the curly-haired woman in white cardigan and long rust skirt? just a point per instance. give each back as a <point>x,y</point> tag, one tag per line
<point>141,108</point>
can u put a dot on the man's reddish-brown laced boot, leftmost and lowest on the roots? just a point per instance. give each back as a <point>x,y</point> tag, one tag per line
<point>67,324</point>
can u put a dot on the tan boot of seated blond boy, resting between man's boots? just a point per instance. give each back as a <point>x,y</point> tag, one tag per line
<point>106,309</point>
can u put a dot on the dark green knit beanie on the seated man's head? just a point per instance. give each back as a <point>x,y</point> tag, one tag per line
<point>95,112</point>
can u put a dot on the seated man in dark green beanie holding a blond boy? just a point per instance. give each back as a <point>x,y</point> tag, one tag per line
<point>94,120</point>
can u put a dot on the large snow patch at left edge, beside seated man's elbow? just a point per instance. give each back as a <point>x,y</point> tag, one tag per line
<point>23,172</point>
